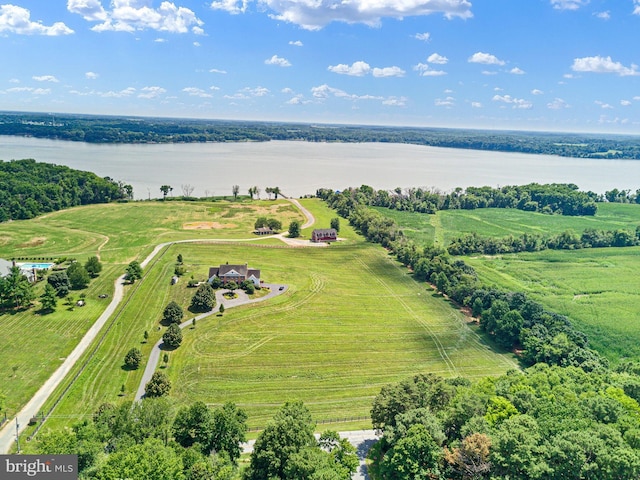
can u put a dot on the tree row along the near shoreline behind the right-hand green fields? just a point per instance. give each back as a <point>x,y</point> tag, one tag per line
<point>555,198</point>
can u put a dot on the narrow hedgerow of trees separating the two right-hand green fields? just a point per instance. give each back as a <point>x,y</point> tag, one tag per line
<point>471,243</point>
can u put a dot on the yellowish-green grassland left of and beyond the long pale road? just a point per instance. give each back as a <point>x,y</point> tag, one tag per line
<point>34,345</point>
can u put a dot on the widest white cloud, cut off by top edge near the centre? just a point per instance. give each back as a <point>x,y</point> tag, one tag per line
<point>315,14</point>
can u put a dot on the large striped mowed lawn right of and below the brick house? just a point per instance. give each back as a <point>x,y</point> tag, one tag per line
<point>352,321</point>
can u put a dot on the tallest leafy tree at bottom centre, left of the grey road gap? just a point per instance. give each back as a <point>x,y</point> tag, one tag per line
<point>290,431</point>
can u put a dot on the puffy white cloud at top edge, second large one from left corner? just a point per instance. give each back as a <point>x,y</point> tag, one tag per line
<point>132,15</point>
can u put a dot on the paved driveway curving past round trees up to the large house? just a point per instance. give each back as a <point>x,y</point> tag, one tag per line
<point>243,299</point>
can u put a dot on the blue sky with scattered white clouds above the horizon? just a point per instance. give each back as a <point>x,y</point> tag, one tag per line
<point>555,65</point>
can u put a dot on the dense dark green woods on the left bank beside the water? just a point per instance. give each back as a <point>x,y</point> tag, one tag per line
<point>29,188</point>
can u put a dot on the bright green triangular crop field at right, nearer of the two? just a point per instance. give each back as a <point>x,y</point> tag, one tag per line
<point>595,288</point>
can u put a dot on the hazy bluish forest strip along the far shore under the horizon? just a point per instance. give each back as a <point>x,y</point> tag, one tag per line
<point>105,129</point>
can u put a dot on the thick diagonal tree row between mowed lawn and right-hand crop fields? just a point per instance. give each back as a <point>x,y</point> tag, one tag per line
<point>511,318</point>
